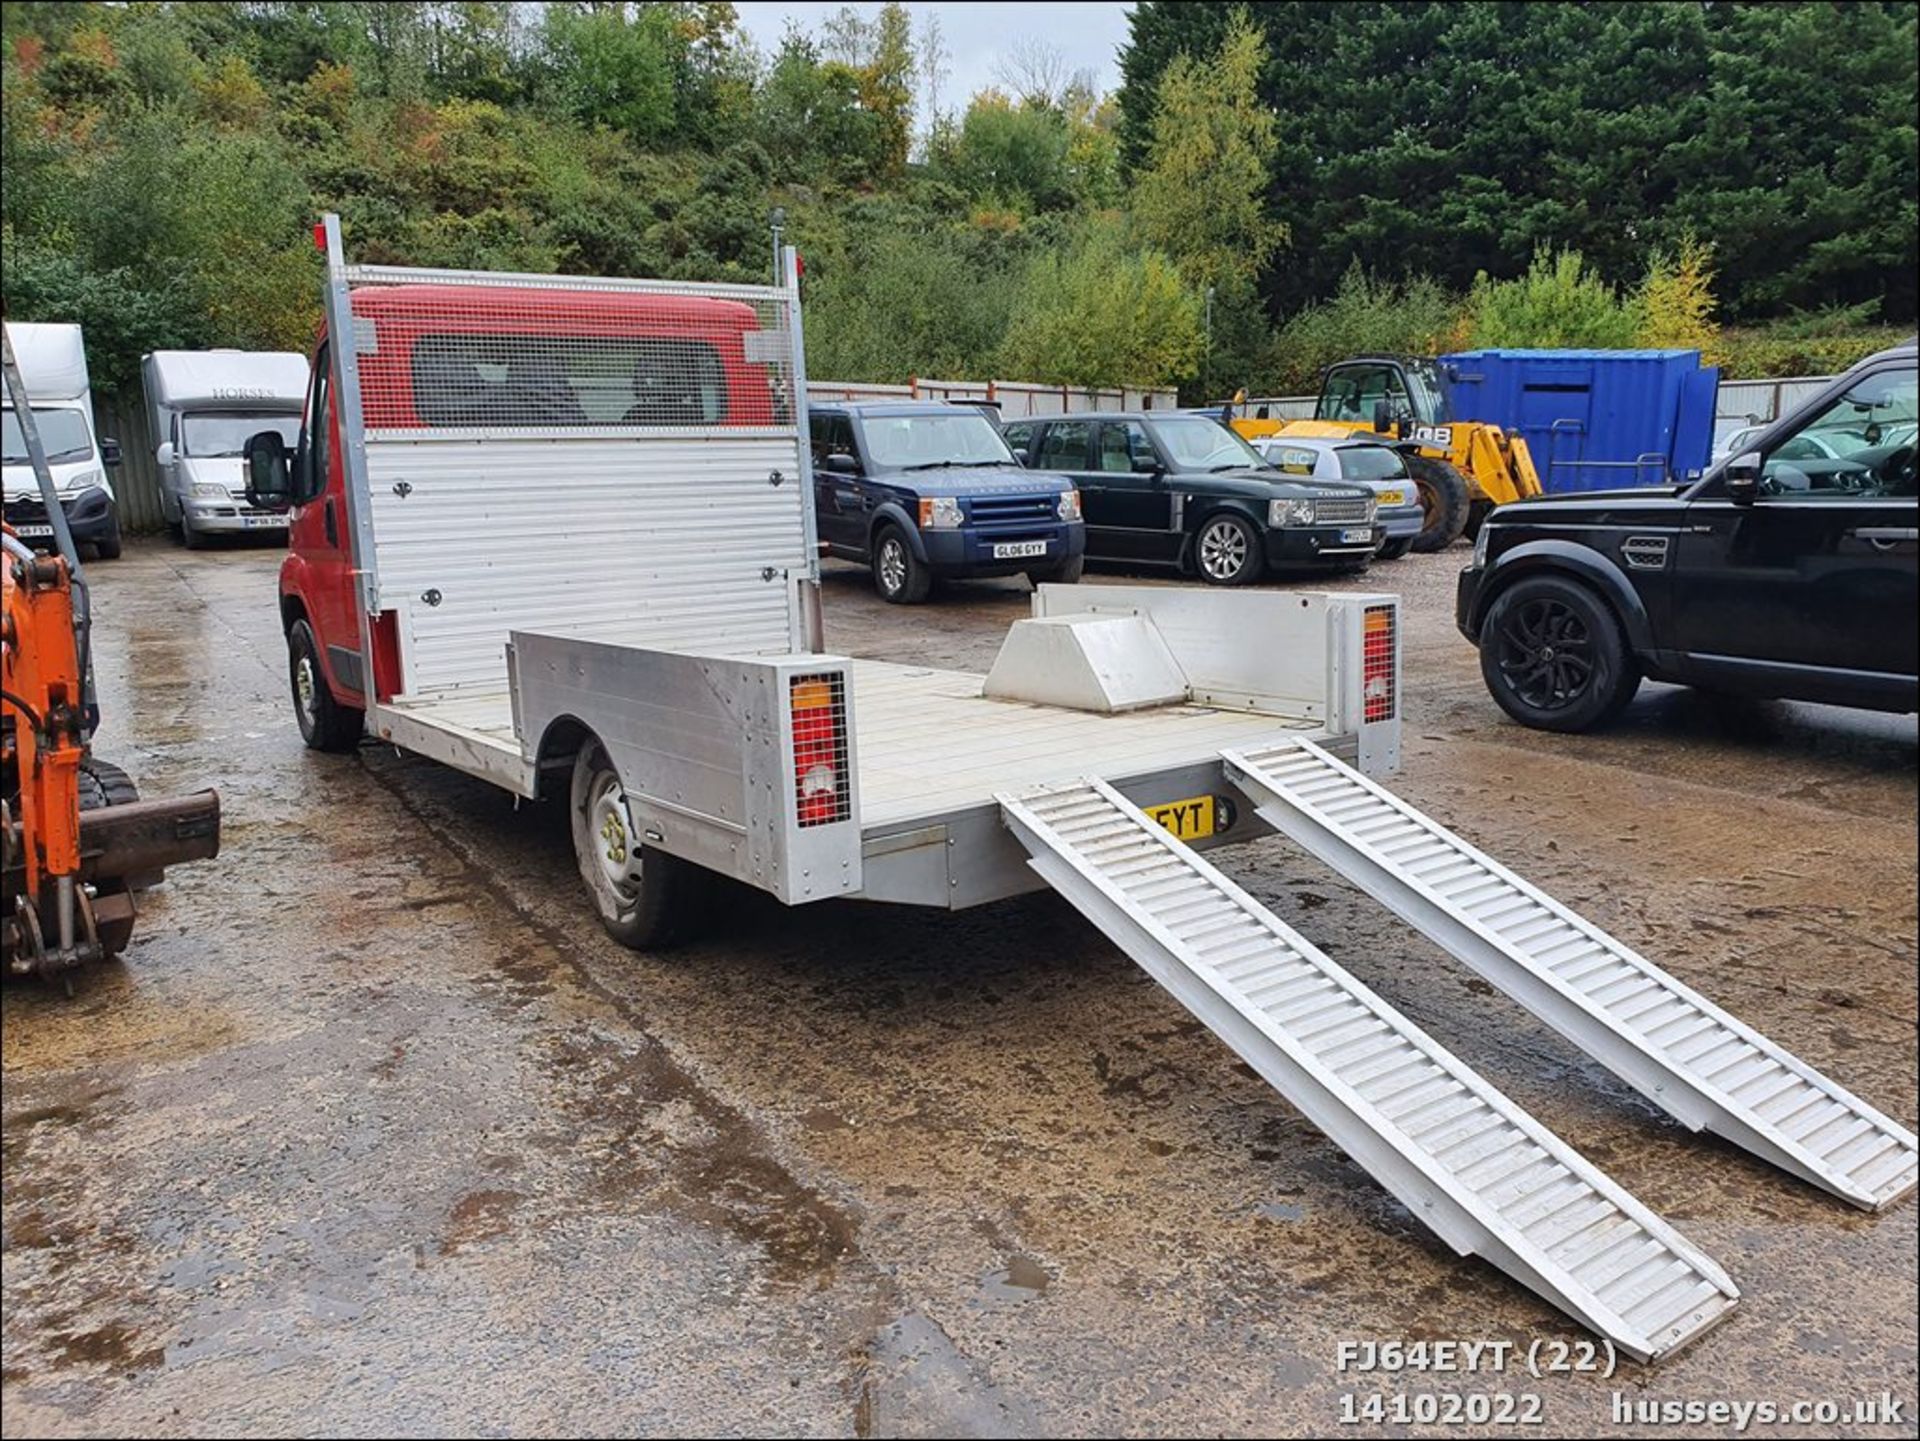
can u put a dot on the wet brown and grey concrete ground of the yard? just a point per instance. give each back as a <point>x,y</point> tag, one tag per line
<point>375,1133</point>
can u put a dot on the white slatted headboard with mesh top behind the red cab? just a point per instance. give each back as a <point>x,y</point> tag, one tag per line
<point>610,460</point>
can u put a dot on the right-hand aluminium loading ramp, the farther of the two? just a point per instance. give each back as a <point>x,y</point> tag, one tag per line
<point>1675,1047</point>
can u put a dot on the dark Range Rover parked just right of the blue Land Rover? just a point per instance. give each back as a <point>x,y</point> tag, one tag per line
<point>1182,490</point>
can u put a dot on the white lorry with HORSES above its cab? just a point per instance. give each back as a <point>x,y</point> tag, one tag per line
<point>204,406</point>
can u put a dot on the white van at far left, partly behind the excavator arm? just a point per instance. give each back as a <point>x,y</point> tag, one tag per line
<point>53,366</point>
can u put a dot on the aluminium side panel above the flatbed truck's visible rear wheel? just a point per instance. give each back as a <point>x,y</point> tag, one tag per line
<point>706,753</point>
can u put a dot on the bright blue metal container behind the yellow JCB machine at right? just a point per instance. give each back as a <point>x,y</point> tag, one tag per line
<point>1593,419</point>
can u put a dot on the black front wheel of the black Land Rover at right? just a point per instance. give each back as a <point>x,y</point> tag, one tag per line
<point>1554,657</point>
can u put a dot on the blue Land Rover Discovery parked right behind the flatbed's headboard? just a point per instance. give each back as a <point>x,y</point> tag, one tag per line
<point>924,492</point>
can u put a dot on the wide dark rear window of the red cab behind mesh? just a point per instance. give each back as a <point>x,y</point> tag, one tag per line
<point>567,383</point>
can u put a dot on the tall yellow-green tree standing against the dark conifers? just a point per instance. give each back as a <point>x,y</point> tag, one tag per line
<point>1203,193</point>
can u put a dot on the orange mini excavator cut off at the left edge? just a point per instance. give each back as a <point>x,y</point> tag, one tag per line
<point>78,839</point>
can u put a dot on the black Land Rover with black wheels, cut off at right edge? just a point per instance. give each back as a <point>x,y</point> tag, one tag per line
<point>1787,571</point>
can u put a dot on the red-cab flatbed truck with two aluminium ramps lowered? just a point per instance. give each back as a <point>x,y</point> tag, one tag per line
<point>558,532</point>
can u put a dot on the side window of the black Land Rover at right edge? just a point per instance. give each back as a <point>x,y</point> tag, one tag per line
<point>1860,446</point>
